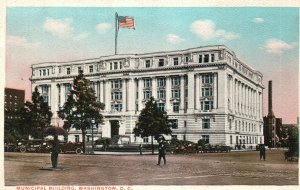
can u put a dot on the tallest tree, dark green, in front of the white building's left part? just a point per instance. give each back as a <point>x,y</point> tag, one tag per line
<point>81,107</point>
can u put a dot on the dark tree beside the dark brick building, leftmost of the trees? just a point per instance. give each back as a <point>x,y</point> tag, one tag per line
<point>36,115</point>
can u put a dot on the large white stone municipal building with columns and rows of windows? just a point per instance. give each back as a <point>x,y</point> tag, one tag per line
<point>207,91</point>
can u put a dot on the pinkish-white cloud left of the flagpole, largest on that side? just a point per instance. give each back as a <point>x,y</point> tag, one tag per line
<point>59,27</point>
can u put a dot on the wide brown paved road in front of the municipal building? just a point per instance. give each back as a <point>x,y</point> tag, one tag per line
<point>235,168</point>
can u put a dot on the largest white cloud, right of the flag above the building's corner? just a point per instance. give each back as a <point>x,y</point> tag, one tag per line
<point>206,30</point>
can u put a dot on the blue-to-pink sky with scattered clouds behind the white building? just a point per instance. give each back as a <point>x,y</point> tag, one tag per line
<point>267,39</point>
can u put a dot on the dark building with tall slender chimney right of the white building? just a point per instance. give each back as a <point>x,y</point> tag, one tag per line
<point>272,125</point>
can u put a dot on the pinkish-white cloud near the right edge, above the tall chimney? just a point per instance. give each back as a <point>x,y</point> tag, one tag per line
<point>278,46</point>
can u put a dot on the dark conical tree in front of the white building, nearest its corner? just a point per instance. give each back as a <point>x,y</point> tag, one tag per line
<point>152,122</point>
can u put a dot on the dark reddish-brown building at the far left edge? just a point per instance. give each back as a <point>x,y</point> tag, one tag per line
<point>13,102</point>
